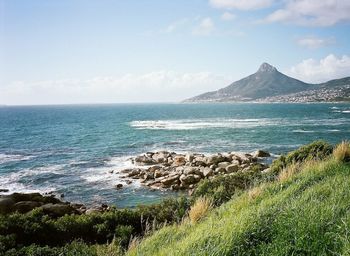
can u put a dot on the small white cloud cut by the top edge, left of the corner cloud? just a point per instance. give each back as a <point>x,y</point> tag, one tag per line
<point>240,4</point>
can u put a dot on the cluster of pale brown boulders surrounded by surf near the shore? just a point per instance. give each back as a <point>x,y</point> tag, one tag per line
<point>169,170</point>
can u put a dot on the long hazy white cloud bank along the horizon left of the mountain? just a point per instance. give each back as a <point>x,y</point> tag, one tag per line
<point>159,86</point>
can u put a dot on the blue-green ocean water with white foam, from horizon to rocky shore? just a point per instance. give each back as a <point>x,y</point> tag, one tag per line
<point>72,149</point>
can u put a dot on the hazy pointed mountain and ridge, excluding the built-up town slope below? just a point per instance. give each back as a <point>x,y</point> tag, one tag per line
<point>266,83</point>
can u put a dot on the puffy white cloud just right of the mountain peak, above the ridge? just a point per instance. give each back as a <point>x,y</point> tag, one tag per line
<point>313,71</point>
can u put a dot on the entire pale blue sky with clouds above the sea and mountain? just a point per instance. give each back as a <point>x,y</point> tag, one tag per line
<point>121,51</point>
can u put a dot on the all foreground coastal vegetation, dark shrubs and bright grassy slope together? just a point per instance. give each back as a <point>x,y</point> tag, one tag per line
<point>300,207</point>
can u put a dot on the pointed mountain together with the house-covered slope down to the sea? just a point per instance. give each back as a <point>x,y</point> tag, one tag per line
<point>267,84</point>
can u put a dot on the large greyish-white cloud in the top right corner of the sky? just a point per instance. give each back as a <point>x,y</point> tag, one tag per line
<point>312,12</point>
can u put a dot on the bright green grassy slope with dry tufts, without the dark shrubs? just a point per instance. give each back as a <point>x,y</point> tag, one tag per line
<point>307,214</point>
